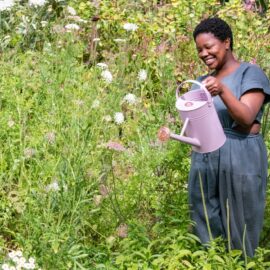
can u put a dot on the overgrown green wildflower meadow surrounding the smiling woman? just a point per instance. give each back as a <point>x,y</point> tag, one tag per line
<point>85,182</point>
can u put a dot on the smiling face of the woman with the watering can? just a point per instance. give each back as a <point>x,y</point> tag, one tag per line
<point>211,50</point>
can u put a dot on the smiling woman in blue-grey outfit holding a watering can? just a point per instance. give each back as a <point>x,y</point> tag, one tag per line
<point>234,176</point>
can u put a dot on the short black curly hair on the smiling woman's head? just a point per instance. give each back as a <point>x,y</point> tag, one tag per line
<point>216,26</point>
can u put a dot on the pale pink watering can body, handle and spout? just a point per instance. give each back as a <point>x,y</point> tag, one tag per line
<point>201,128</point>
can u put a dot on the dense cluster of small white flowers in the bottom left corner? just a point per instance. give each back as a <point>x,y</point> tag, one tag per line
<point>18,261</point>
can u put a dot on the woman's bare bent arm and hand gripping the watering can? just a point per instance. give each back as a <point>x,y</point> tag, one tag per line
<point>243,111</point>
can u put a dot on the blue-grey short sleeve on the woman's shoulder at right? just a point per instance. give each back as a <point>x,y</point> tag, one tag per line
<point>255,78</point>
